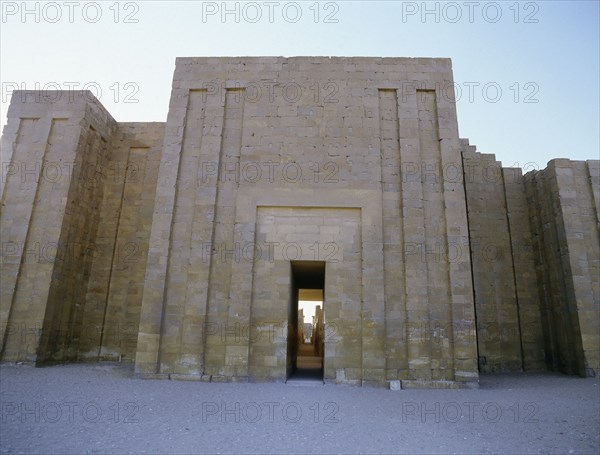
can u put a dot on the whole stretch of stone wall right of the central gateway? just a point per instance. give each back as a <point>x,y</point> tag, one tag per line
<point>534,242</point>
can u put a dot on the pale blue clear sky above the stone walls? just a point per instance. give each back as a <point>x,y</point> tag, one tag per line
<point>529,71</point>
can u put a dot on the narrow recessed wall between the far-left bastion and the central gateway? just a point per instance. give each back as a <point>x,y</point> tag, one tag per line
<point>113,296</point>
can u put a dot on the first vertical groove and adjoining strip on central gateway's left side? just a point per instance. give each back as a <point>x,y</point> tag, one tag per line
<point>185,301</point>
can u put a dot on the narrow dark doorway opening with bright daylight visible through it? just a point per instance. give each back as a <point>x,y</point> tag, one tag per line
<point>306,348</point>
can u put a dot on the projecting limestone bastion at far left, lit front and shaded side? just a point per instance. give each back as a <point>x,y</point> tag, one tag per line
<point>52,144</point>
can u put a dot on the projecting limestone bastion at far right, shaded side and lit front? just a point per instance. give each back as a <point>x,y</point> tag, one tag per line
<point>564,205</point>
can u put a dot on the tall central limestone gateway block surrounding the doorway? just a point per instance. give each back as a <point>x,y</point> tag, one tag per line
<point>251,138</point>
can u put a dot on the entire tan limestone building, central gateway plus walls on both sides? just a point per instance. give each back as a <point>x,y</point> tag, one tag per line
<point>181,246</point>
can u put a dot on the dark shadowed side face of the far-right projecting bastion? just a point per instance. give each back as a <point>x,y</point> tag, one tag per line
<point>562,334</point>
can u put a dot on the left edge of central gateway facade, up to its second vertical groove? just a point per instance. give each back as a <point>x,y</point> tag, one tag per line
<point>171,337</point>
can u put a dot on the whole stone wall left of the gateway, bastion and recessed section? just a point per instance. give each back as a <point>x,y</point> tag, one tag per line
<point>78,192</point>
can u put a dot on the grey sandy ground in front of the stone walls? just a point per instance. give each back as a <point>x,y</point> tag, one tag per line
<point>102,408</point>
